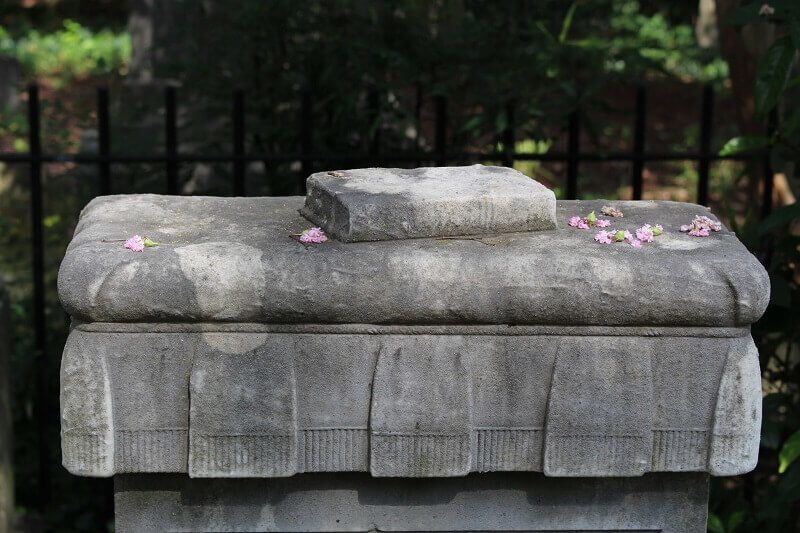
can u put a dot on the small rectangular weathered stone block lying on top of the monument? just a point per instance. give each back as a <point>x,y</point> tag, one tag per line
<point>377,204</point>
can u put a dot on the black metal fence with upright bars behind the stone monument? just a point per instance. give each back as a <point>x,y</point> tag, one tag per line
<point>171,158</point>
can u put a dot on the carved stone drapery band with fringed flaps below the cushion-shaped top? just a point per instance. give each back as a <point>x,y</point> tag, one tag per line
<point>253,400</point>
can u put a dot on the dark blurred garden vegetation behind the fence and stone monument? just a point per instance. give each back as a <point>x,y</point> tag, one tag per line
<point>549,57</point>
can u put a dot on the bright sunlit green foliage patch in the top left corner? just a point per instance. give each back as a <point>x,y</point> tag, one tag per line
<point>73,52</point>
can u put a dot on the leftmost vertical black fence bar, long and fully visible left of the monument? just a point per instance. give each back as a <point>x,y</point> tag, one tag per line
<point>39,324</point>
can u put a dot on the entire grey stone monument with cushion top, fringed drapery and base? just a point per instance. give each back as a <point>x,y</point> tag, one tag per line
<point>456,356</point>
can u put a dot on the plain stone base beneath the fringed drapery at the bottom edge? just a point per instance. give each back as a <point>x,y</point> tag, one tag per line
<point>517,501</point>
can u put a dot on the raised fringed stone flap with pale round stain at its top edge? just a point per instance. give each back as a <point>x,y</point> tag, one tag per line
<point>243,416</point>
